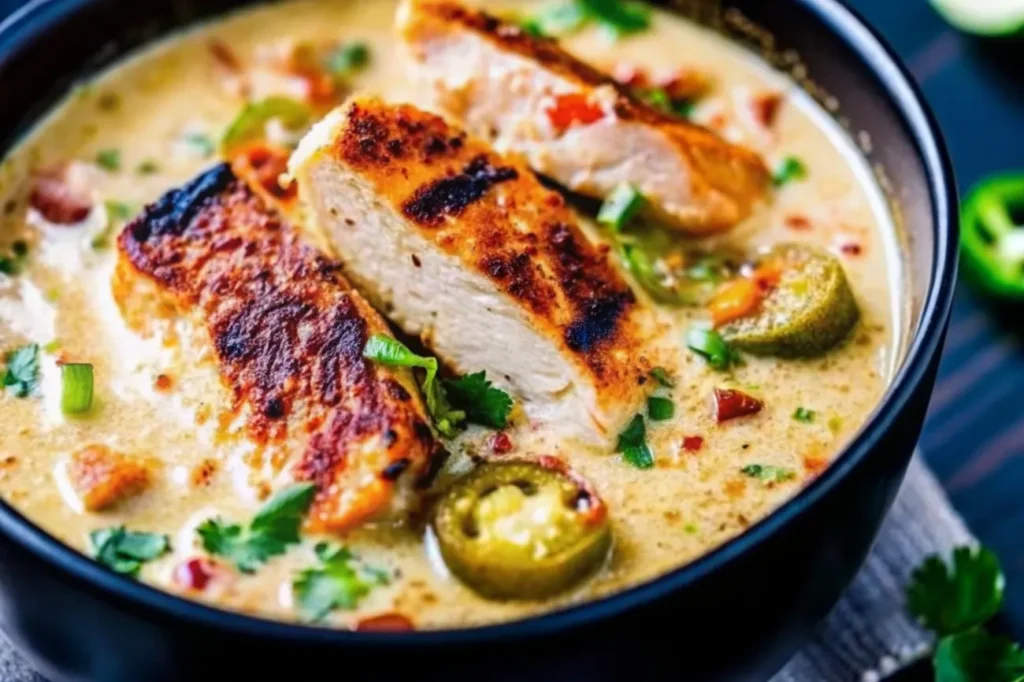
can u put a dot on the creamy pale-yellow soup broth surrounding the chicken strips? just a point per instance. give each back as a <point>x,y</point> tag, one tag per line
<point>152,123</point>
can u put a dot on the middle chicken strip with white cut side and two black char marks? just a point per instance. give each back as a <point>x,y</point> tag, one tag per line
<point>471,252</point>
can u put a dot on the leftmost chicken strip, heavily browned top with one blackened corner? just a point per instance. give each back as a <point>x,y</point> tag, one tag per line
<point>288,334</point>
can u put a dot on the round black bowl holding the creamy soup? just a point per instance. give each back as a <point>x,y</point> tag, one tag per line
<point>738,614</point>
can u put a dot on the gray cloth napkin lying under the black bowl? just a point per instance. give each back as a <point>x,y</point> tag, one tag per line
<point>868,635</point>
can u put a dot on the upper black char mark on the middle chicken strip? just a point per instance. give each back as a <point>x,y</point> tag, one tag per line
<point>449,197</point>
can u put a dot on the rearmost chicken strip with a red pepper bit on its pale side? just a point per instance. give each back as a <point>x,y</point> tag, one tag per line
<point>574,124</point>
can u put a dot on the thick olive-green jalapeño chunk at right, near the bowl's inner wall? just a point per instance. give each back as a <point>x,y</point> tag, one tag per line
<point>807,312</point>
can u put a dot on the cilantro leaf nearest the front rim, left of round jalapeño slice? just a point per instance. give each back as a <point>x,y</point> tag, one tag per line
<point>340,582</point>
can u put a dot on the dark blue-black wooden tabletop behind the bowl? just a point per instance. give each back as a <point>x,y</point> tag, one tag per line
<point>975,434</point>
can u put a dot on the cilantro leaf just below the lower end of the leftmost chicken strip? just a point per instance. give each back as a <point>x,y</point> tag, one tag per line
<point>269,535</point>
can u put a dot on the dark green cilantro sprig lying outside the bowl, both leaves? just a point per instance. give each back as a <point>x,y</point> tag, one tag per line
<point>956,603</point>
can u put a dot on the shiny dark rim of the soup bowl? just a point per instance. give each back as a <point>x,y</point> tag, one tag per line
<point>922,127</point>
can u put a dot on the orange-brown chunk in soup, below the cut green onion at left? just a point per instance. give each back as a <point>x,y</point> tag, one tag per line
<point>104,478</point>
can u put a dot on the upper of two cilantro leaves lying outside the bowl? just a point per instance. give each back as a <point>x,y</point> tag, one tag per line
<point>952,600</point>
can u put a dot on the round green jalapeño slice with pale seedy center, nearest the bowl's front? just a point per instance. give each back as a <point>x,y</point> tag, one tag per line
<point>518,530</point>
